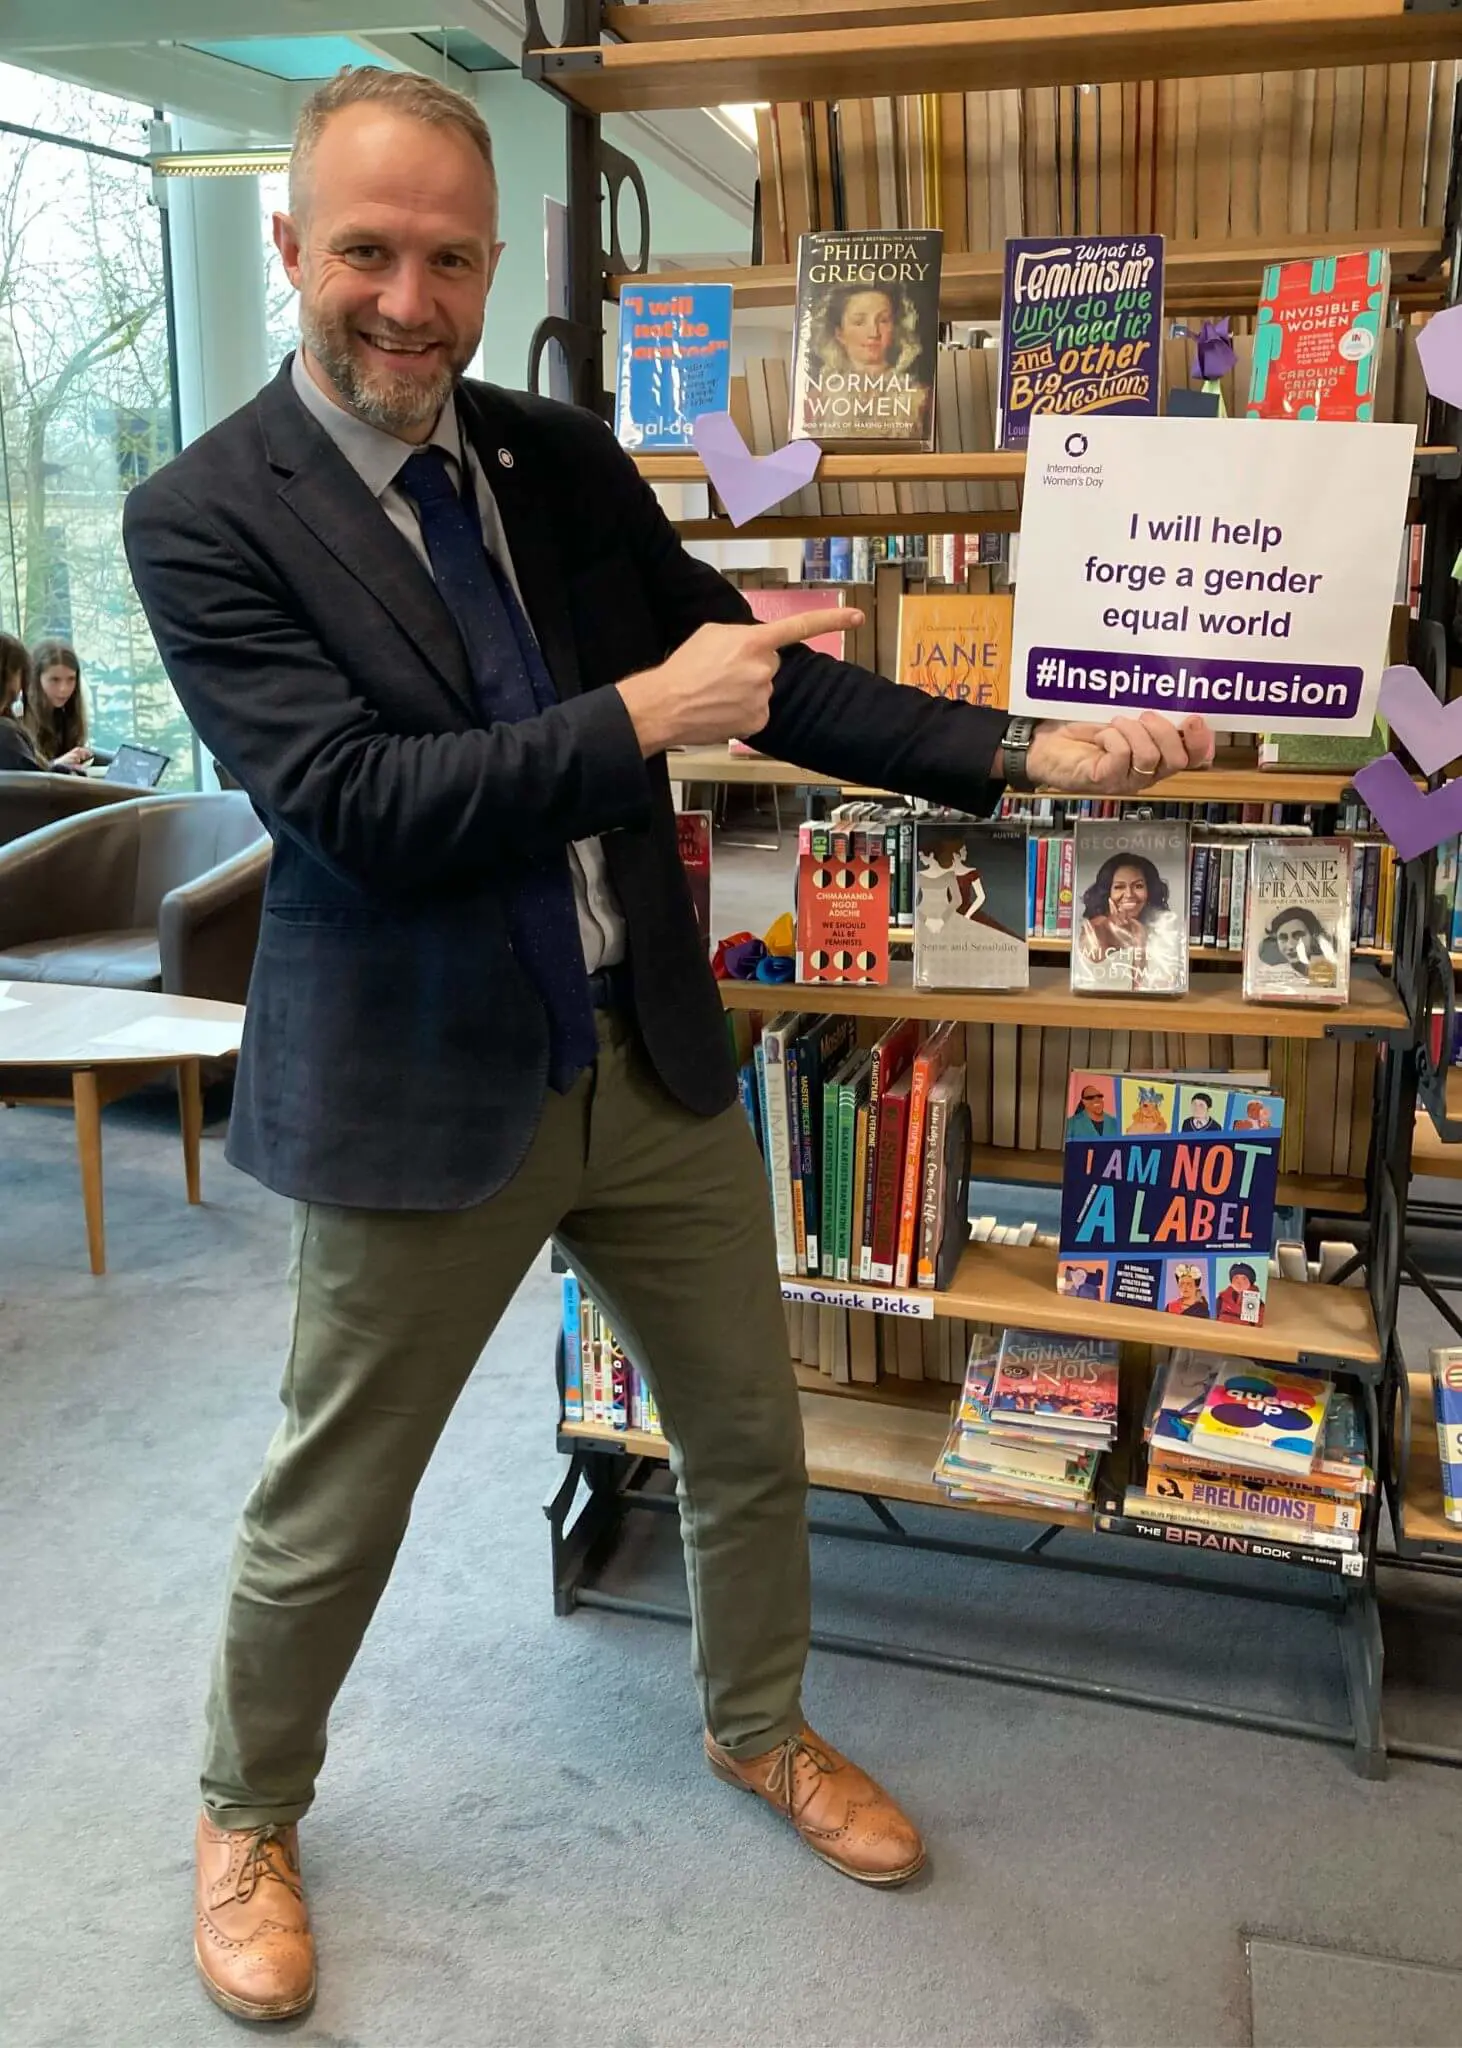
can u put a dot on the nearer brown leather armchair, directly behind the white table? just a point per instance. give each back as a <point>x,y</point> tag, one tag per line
<point>153,894</point>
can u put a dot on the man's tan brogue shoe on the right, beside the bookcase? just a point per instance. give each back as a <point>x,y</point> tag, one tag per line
<point>838,1811</point>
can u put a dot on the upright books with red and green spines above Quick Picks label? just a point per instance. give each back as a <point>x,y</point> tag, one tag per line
<point>867,1148</point>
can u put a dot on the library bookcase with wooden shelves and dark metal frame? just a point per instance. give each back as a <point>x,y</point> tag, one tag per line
<point>879,1443</point>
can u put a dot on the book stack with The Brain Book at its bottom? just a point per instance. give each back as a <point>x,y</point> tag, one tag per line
<point>1252,1459</point>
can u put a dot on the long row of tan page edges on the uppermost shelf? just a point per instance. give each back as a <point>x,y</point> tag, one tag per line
<point>1197,159</point>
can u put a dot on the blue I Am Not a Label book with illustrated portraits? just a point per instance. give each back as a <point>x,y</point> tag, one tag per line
<point>1168,1195</point>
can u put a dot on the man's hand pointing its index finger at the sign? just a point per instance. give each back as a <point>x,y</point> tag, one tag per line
<point>718,685</point>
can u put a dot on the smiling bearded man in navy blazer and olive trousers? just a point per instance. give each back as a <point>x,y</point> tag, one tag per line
<point>443,638</point>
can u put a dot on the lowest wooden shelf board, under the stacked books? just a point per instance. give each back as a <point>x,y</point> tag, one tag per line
<point>879,1445</point>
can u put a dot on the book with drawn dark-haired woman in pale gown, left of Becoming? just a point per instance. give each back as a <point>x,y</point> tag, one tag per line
<point>970,914</point>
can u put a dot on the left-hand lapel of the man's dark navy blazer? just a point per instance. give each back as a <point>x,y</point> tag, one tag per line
<point>331,499</point>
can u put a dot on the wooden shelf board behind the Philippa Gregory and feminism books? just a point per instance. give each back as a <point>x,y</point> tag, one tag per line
<point>1197,275</point>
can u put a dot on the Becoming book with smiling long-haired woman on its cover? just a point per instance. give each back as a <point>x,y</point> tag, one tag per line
<point>1131,908</point>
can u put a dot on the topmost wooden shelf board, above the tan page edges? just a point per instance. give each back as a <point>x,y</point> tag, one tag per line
<point>922,48</point>
